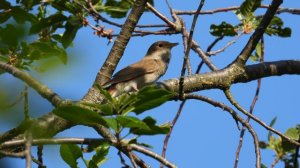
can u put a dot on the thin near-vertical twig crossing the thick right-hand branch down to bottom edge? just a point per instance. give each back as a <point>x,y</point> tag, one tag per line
<point>251,109</point>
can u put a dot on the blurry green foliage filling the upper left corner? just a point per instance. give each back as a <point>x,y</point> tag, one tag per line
<point>32,30</point>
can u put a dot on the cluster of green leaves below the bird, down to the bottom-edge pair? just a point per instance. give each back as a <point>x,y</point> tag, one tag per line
<point>116,117</point>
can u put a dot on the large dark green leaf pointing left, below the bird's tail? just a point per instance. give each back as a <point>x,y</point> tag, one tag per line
<point>80,115</point>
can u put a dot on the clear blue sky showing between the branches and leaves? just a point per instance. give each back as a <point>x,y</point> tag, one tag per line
<point>204,136</point>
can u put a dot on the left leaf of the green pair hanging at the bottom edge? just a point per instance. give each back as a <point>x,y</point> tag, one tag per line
<point>70,153</point>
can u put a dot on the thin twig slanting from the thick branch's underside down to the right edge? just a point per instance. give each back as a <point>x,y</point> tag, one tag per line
<point>229,96</point>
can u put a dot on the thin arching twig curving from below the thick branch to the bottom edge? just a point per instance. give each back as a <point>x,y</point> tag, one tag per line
<point>236,117</point>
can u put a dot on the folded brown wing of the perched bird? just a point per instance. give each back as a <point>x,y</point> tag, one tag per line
<point>135,70</point>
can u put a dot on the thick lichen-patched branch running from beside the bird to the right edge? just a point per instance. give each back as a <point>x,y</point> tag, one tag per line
<point>222,79</point>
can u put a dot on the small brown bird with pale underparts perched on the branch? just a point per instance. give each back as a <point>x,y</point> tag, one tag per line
<point>144,72</point>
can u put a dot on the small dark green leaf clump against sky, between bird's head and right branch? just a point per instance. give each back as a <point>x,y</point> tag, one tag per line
<point>223,29</point>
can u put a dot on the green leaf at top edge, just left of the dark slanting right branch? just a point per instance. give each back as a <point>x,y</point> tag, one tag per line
<point>249,6</point>
